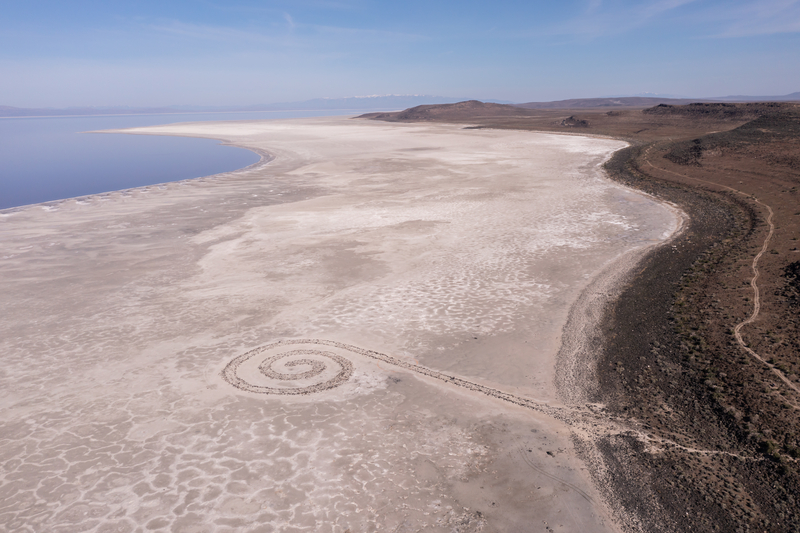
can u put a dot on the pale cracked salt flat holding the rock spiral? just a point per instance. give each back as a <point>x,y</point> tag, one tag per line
<point>134,394</point>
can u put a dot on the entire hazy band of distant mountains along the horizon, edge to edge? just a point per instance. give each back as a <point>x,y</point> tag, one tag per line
<point>389,102</point>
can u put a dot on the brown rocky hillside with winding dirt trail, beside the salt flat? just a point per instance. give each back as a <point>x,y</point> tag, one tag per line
<point>672,361</point>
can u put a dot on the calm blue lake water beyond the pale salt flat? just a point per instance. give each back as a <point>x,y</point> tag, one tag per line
<point>49,158</point>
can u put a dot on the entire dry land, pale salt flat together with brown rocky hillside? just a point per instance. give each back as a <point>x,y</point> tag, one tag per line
<point>437,326</point>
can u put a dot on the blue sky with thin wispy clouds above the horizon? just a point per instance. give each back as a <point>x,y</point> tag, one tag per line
<point>215,52</point>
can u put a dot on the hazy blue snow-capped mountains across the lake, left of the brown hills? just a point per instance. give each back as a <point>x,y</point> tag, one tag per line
<point>353,103</point>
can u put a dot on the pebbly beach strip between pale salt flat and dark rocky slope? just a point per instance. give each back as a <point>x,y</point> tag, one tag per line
<point>583,353</point>
